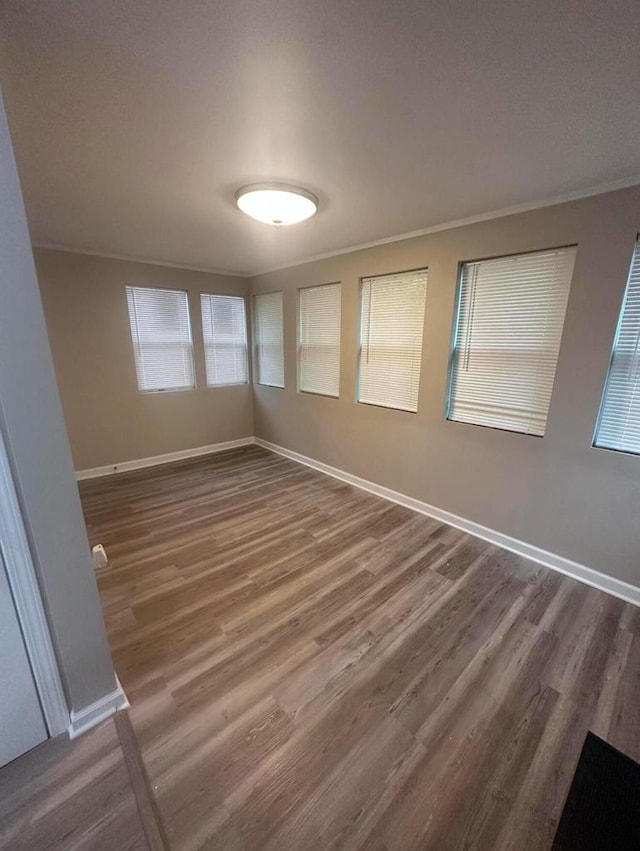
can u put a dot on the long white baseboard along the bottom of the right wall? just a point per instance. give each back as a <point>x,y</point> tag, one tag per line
<point>616,587</point>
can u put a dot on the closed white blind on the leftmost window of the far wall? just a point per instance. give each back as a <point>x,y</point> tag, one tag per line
<point>161,335</point>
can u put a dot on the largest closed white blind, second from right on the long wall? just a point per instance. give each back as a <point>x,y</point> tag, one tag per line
<point>507,339</point>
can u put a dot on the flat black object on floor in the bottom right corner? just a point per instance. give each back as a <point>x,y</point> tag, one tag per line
<point>602,812</point>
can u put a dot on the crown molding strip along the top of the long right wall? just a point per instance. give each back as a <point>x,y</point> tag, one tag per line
<point>578,195</point>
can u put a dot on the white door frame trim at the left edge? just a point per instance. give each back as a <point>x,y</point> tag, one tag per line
<point>27,599</point>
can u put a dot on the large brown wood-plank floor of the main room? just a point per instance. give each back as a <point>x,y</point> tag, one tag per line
<point>311,667</point>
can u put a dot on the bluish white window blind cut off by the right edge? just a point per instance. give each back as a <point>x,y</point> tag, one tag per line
<point>619,422</point>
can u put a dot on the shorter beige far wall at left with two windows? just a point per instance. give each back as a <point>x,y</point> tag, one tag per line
<point>108,419</point>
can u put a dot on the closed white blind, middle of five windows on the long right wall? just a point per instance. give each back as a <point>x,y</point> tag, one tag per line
<point>391,327</point>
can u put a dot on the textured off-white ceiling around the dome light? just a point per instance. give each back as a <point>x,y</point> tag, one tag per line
<point>134,121</point>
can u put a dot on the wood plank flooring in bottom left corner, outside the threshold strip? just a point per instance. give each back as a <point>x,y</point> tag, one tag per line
<point>78,796</point>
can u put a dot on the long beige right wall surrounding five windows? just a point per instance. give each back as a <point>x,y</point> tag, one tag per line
<point>557,493</point>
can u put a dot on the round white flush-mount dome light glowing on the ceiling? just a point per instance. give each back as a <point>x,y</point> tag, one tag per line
<point>276,203</point>
